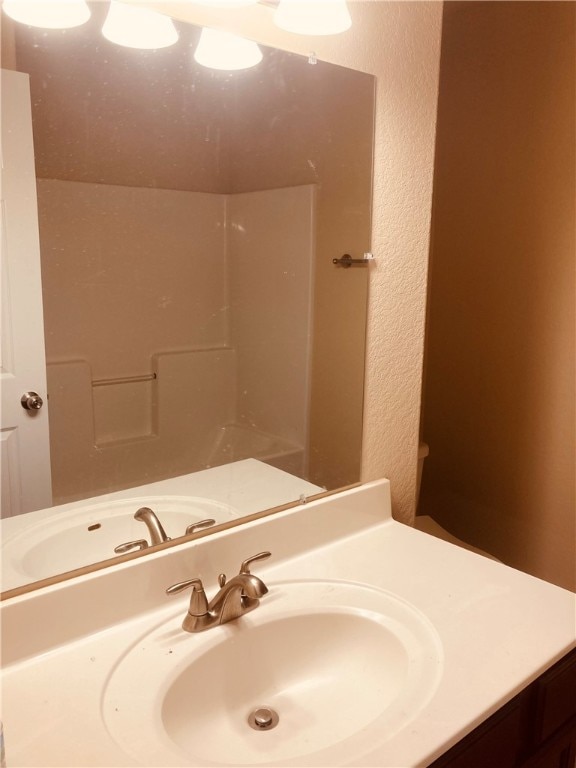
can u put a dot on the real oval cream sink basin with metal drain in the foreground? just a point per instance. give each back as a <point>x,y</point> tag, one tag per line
<point>342,667</point>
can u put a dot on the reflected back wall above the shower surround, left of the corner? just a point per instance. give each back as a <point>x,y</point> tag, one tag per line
<point>130,116</point>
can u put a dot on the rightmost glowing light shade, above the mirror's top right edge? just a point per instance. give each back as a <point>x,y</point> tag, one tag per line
<point>313,17</point>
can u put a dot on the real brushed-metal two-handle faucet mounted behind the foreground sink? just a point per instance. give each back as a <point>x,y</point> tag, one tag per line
<point>235,598</point>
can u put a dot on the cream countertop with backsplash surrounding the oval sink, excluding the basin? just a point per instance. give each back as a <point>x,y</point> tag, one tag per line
<point>499,629</point>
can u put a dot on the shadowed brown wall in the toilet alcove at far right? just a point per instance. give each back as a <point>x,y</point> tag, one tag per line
<point>499,396</point>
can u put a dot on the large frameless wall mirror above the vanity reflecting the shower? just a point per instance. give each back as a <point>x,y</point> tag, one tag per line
<point>201,345</point>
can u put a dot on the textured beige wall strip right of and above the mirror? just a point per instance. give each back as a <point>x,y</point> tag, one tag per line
<point>399,43</point>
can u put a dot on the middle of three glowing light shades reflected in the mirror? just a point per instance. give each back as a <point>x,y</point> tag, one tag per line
<point>136,27</point>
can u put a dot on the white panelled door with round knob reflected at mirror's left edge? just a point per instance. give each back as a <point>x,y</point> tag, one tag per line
<point>25,457</point>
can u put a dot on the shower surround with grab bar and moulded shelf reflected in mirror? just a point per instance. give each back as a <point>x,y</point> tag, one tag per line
<point>249,367</point>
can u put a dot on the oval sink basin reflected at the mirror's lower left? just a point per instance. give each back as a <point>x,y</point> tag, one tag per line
<point>86,534</point>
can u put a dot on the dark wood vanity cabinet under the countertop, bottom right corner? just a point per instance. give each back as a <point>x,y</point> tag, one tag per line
<point>537,729</point>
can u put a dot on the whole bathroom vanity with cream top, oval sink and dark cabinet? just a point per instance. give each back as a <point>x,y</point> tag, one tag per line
<point>376,644</point>
